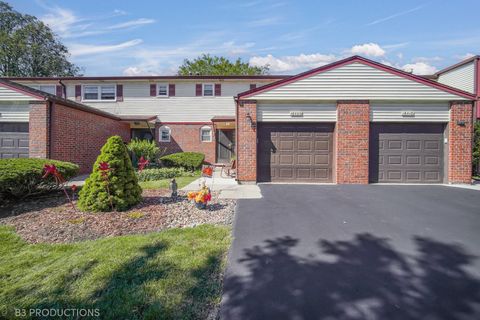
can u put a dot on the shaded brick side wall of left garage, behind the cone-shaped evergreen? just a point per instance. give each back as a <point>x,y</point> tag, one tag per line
<point>77,136</point>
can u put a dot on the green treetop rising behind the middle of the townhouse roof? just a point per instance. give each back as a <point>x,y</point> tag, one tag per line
<point>207,65</point>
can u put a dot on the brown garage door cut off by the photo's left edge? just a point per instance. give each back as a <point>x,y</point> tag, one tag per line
<point>13,140</point>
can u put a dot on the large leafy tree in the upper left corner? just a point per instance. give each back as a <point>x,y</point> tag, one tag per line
<point>28,48</point>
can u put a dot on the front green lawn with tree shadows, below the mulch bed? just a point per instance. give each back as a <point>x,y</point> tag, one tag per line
<point>173,274</point>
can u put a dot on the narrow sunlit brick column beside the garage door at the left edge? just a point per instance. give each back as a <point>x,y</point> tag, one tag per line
<point>39,144</point>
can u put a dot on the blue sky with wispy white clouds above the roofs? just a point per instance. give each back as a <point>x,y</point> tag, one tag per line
<point>153,37</point>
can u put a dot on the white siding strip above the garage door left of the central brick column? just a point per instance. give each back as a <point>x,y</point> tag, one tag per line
<point>290,112</point>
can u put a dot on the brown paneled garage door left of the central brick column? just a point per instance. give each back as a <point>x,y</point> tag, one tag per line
<point>295,152</point>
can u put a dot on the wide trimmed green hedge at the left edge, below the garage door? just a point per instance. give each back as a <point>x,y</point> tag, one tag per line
<point>20,178</point>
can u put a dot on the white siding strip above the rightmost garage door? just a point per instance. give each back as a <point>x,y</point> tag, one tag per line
<point>409,112</point>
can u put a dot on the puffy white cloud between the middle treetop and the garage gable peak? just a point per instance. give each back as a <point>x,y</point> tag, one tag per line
<point>291,63</point>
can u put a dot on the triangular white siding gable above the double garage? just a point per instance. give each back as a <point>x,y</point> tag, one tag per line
<point>355,81</point>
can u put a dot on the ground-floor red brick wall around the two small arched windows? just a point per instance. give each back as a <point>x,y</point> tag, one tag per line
<point>186,138</point>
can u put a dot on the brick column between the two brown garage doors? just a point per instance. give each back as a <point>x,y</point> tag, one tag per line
<point>352,138</point>
